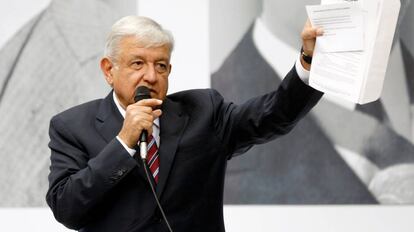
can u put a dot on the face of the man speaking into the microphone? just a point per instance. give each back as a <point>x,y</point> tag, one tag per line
<point>139,66</point>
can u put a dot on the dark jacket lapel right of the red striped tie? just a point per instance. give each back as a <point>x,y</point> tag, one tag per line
<point>172,125</point>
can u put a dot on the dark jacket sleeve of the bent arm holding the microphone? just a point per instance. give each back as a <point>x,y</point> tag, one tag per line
<point>78,184</point>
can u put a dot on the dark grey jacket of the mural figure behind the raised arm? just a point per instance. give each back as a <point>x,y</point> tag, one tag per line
<point>302,167</point>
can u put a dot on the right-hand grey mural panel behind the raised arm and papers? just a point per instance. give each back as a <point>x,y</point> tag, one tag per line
<point>337,154</point>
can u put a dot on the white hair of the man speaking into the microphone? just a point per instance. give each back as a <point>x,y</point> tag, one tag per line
<point>148,32</point>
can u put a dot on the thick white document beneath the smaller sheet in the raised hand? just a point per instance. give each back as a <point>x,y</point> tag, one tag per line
<point>358,76</point>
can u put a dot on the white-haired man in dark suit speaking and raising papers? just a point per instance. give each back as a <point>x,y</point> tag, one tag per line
<point>95,182</point>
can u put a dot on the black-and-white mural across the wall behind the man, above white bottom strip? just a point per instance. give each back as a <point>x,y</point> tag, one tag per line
<point>339,154</point>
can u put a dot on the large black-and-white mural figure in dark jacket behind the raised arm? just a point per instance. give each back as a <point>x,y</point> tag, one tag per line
<point>330,157</point>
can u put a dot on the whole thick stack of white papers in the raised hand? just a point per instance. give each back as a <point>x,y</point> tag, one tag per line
<point>350,59</point>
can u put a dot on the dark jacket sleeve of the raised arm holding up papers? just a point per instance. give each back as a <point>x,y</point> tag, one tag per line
<point>265,117</point>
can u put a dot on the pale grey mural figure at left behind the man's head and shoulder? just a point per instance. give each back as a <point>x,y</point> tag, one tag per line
<point>45,68</point>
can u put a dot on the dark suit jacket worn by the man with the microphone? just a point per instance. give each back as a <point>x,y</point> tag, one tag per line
<point>95,185</point>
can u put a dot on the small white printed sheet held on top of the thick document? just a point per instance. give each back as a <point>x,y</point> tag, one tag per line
<point>342,24</point>
